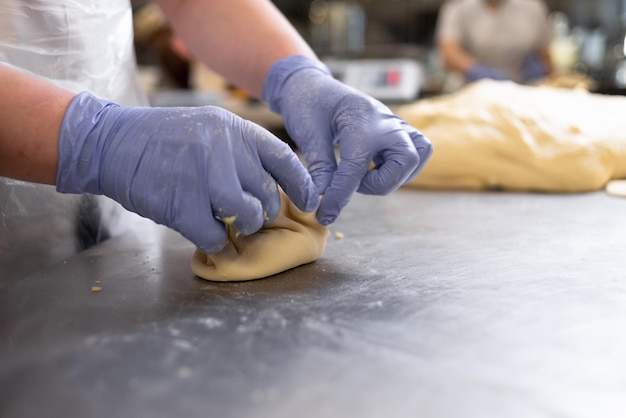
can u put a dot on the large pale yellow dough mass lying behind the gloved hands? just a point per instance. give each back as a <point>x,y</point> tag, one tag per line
<point>502,135</point>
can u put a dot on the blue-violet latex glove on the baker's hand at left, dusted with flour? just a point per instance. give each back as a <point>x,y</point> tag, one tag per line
<point>192,169</point>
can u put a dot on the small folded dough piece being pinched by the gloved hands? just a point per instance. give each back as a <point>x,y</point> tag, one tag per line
<point>293,239</point>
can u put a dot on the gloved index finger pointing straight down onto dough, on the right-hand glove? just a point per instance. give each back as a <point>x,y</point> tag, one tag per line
<point>344,184</point>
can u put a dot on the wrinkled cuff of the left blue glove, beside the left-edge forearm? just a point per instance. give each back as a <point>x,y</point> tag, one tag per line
<point>81,144</point>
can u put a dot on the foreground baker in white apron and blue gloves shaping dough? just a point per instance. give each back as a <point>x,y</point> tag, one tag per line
<point>193,169</point>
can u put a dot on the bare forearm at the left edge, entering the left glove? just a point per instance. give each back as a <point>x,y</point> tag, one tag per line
<point>31,112</point>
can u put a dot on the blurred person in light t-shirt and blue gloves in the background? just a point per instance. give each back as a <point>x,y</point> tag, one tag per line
<point>495,39</point>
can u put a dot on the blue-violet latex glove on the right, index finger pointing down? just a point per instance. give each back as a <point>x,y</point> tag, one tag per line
<point>320,112</point>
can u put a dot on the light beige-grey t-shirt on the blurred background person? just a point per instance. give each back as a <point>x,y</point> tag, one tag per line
<point>502,38</point>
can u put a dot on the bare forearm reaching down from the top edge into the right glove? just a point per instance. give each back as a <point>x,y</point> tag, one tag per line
<point>239,39</point>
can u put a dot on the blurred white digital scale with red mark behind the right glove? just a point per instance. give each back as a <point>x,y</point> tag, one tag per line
<point>388,79</point>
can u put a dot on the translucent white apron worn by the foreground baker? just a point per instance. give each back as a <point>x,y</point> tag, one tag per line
<point>78,45</point>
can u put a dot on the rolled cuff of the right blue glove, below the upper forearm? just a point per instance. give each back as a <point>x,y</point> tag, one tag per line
<point>280,73</point>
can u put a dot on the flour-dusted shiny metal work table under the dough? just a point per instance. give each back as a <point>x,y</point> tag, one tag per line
<point>432,305</point>
